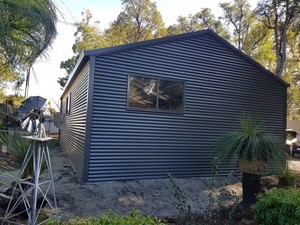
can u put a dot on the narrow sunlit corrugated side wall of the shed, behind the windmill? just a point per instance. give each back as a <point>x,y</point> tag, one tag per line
<point>72,134</point>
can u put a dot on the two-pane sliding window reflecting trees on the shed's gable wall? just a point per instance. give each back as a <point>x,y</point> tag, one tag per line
<point>155,94</point>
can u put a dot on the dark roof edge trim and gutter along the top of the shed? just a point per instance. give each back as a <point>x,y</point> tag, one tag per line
<point>86,54</point>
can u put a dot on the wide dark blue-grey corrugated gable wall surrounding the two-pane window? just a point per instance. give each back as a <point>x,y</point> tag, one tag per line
<point>220,86</point>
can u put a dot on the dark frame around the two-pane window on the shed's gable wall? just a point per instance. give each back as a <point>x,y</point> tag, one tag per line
<point>157,88</point>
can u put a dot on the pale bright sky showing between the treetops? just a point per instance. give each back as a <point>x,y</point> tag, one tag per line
<point>47,69</point>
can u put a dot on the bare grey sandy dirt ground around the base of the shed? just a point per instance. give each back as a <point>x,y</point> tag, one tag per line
<point>152,197</point>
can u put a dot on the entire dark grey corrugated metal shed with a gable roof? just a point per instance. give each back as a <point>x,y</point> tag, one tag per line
<point>139,110</point>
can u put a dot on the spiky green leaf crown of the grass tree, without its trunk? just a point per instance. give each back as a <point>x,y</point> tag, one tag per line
<point>249,142</point>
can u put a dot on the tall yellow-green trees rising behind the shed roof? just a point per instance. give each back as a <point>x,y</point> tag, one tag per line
<point>252,31</point>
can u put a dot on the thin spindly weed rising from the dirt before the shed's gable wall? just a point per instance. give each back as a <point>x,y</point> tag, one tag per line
<point>182,207</point>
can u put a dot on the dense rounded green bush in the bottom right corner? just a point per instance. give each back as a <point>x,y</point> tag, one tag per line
<point>278,207</point>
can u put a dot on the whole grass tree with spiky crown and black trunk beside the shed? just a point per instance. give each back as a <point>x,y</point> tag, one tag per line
<point>252,147</point>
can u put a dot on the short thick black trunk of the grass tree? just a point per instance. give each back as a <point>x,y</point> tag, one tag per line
<point>251,187</point>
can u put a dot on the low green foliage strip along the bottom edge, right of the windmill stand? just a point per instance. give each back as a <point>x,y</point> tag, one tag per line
<point>111,218</point>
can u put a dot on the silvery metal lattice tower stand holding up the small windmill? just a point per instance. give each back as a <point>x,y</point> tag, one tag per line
<point>33,193</point>
